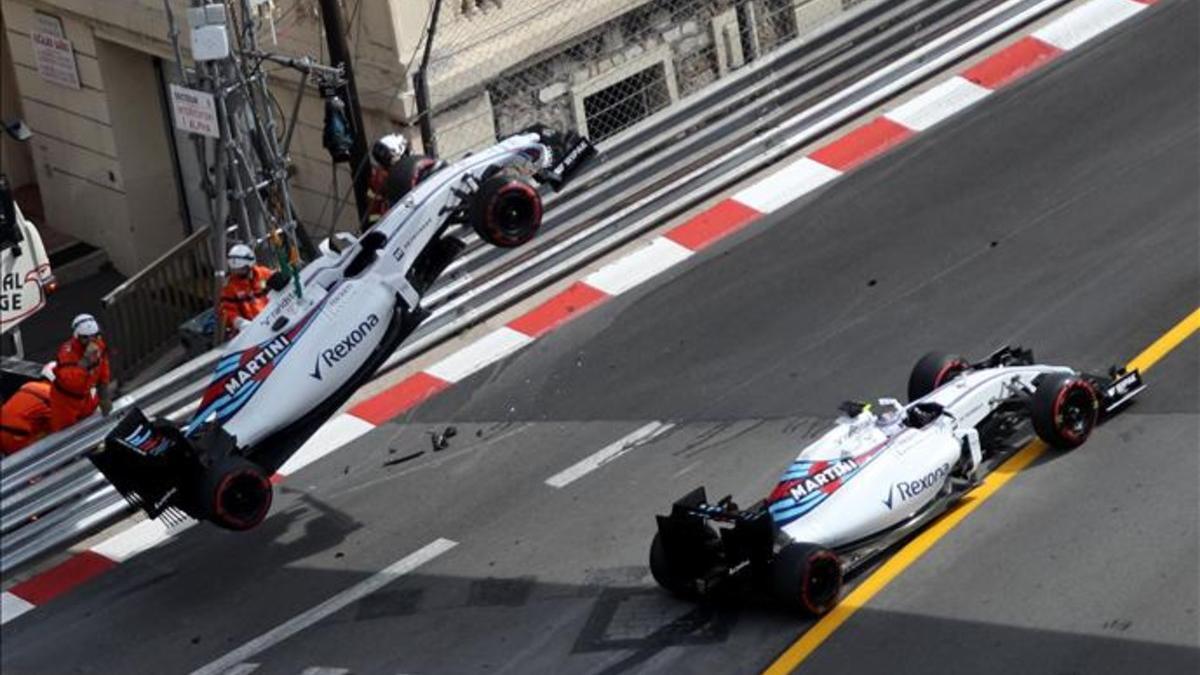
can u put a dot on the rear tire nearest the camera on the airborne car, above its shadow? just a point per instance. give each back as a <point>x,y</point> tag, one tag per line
<point>236,494</point>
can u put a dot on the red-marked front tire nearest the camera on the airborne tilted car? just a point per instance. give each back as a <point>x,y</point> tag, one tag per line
<point>507,211</point>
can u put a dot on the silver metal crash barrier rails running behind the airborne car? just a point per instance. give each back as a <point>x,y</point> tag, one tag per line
<point>574,237</point>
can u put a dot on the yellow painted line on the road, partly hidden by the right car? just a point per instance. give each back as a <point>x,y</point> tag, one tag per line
<point>911,552</point>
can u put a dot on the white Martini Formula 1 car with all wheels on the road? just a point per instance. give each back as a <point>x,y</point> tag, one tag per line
<point>880,475</point>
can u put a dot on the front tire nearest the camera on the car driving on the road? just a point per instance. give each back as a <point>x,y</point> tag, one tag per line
<point>1065,410</point>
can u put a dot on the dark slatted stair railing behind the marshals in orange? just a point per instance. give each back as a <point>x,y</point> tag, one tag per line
<point>142,316</point>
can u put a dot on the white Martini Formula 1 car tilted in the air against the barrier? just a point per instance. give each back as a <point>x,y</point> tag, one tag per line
<point>326,334</point>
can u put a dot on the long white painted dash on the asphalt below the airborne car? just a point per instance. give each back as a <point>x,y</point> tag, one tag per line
<point>302,622</point>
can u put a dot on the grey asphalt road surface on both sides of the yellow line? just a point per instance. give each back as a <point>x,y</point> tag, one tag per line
<point>1061,214</point>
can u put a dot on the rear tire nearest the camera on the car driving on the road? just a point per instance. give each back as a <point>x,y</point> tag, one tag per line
<point>807,578</point>
